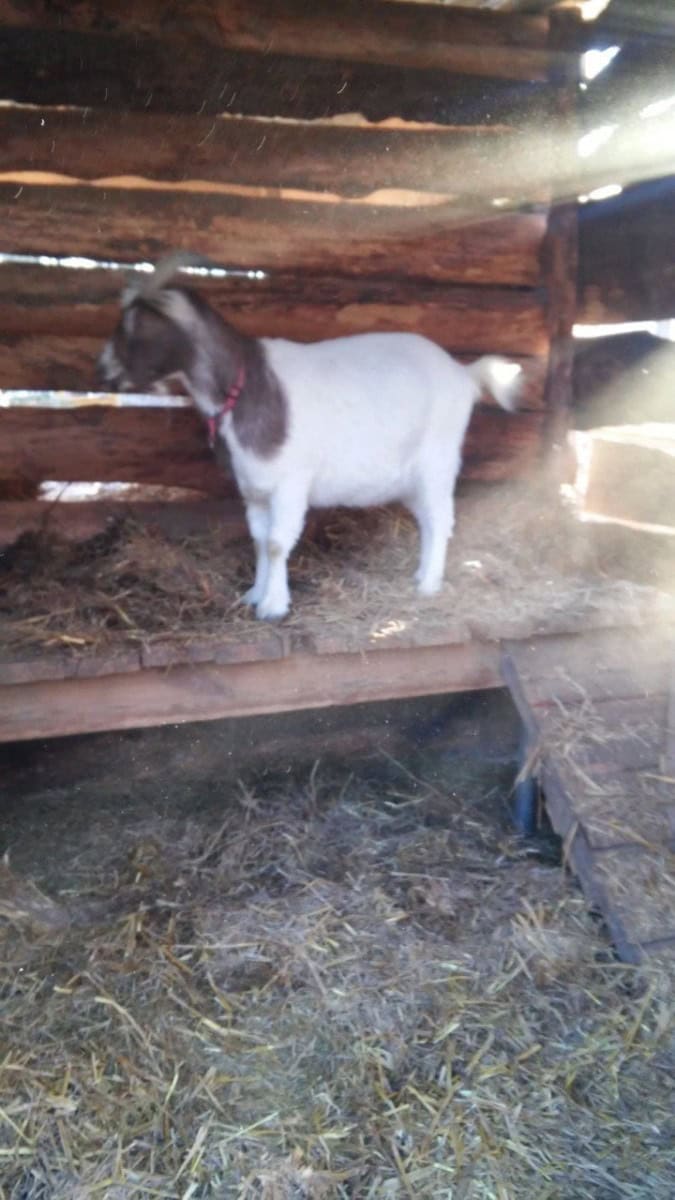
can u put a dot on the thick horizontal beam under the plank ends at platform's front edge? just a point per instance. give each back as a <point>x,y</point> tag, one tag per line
<point>208,692</point>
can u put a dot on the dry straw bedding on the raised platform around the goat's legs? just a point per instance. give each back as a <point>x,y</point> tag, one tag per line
<point>519,565</point>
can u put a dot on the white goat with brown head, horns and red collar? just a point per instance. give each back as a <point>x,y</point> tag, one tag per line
<point>359,421</point>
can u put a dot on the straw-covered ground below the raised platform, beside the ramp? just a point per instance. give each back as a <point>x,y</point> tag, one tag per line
<point>301,980</point>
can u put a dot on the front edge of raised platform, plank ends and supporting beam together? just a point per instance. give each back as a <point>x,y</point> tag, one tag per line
<point>279,671</point>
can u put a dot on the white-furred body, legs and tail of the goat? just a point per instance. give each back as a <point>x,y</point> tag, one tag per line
<point>372,419</point>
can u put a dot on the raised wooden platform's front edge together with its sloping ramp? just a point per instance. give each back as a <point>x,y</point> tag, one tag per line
<point>599,711</point>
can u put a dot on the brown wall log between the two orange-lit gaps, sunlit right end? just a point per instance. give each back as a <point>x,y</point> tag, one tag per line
<point>348,160</point>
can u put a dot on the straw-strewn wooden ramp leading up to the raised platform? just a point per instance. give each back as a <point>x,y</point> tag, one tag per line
<point>600,715</point>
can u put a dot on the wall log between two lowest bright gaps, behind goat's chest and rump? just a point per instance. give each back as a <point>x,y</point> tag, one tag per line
<point>168,447</point>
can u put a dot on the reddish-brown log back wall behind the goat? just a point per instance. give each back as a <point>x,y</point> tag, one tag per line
<point>396,175</point>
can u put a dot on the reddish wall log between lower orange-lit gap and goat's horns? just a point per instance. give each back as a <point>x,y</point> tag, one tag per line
<point>273,235</point>
